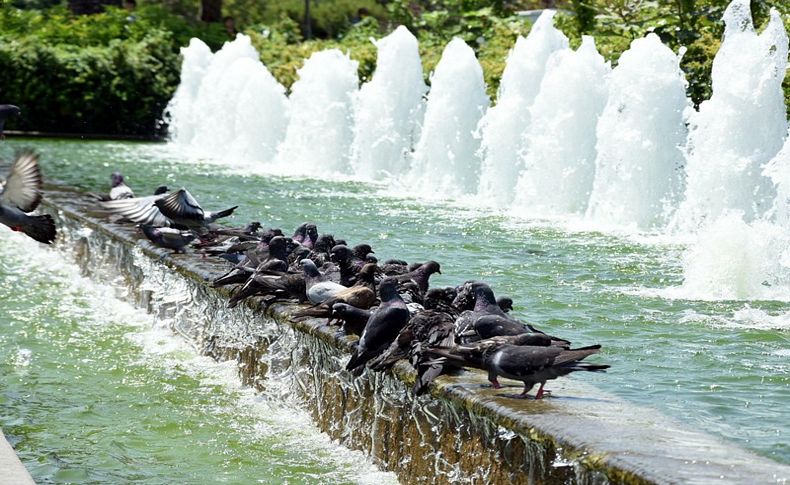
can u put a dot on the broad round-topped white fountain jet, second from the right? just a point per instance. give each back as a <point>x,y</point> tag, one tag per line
<point>639,165</point>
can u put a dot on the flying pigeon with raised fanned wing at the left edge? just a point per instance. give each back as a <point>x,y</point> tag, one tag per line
<point>20,194</point>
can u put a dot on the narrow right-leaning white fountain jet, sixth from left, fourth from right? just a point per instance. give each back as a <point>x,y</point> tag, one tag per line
<point>503,125</point>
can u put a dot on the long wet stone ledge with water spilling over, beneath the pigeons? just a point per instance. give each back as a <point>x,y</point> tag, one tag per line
<point>462,432</point>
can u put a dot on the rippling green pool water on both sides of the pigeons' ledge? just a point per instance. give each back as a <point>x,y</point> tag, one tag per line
<point>87,388</point>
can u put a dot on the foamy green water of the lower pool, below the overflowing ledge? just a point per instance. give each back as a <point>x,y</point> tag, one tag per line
<point>138,394</point>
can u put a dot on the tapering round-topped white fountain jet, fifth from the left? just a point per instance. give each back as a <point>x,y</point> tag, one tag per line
<point>446,161</point>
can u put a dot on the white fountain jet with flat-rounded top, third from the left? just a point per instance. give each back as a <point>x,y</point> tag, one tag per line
<point>319,136</point>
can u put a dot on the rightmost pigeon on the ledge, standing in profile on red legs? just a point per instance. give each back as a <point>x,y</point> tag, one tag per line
<point>527,363</point>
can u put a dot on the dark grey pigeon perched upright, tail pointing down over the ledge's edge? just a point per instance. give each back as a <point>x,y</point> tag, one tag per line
<point>383,327</point>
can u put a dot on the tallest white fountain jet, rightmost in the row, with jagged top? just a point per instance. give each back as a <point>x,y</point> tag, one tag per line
<point>741,126</point>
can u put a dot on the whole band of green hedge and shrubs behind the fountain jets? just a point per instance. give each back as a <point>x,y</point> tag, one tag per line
<point>112,74</point>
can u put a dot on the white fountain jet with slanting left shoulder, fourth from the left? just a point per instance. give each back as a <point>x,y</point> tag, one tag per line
<point>389,109</point>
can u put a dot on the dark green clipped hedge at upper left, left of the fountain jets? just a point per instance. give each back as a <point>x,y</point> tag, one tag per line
<point>89,74</point>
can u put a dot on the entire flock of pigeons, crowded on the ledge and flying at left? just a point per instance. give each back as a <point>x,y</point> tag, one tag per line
<point>391,306</point>
